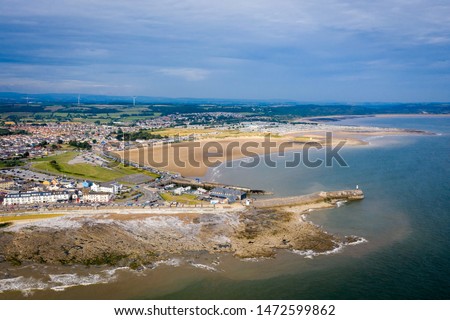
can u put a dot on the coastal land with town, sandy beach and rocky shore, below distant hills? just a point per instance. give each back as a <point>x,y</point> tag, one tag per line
<point>139,188</point>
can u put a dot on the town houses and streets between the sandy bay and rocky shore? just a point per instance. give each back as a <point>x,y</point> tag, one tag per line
<point>25,184</point>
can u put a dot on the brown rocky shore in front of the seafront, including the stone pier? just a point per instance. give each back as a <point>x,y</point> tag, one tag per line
<point>137,240</point>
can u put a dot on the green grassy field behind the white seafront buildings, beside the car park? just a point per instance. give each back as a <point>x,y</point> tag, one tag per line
<point>84,170</point>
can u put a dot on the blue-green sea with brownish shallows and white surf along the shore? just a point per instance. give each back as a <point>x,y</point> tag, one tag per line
<point>404,221</point>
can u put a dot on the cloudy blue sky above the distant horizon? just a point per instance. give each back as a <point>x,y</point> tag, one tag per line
<point>315,50</point>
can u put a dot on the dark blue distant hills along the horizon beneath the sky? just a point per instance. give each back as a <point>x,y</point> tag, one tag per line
<point>20,102</point>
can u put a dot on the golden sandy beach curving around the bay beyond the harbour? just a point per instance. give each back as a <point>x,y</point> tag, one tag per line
<point>194,159</point>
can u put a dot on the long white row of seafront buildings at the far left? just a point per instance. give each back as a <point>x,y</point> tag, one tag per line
<point>36,197</point>
